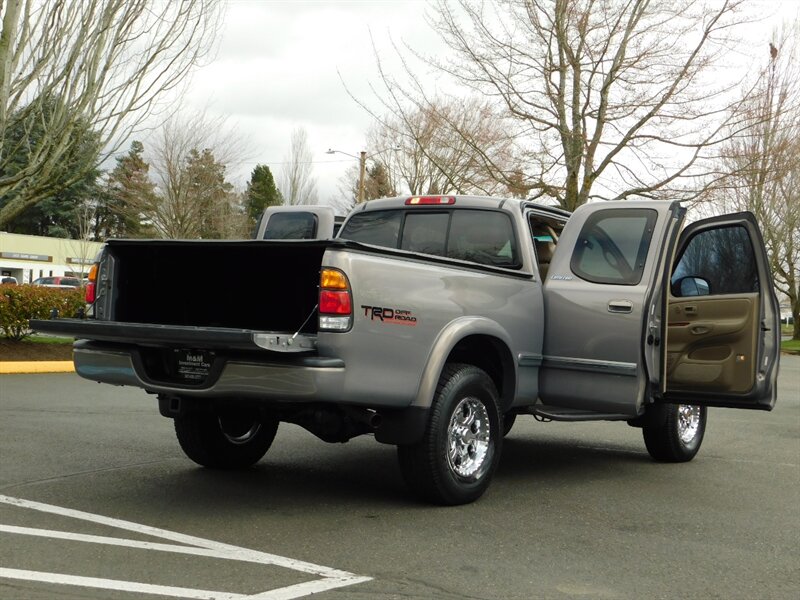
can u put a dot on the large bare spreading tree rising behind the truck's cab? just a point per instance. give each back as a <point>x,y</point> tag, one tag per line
<point>610,98</point>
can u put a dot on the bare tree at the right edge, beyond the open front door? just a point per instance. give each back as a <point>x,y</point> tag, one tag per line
<point>764,165</point>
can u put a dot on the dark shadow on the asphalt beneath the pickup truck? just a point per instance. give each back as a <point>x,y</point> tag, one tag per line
<point>297,478</point>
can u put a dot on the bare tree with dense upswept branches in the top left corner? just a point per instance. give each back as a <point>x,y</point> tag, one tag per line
<point>102,62</point>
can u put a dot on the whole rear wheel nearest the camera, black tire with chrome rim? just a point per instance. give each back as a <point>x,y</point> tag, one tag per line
<point>459,452</point>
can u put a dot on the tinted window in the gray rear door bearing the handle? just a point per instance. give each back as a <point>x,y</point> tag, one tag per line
<point>612,246</point>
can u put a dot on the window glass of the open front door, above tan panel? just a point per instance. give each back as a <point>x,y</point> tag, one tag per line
<point>716,261</point>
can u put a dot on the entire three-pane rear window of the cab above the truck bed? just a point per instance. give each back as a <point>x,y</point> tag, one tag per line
<point>481,236</point>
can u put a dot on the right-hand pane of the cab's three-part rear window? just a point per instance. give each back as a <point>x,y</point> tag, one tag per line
<point>485,237</point>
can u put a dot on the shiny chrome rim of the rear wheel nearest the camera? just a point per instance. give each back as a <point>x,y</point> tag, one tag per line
<point>468,438</point>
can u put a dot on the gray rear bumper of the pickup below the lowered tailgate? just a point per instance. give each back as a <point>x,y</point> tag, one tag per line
<point>299,378</point>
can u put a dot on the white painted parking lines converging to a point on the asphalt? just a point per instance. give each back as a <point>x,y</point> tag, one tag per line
<point>330,578</point>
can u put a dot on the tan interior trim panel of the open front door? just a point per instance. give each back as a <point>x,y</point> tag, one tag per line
<point>711,343</point>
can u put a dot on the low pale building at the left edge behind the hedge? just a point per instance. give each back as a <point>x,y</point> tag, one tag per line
<point>28,257</point>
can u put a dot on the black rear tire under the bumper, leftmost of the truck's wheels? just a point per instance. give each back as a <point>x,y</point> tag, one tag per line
<point>230,439</point>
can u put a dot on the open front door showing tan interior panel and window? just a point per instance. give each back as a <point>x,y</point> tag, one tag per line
<point>722,321</point>
